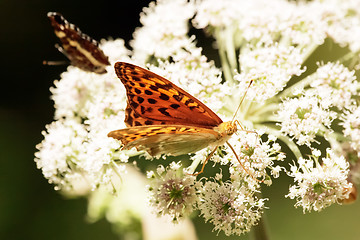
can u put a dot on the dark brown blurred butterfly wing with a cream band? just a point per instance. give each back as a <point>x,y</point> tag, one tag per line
<point>80,49</point>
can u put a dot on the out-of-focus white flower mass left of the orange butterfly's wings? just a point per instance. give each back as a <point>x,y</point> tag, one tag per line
<point>76,146</point>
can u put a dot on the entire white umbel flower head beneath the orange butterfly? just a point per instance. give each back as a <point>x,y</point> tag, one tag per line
<point>266,43</point>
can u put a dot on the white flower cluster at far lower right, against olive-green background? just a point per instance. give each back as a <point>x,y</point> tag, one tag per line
<point>320,184</point>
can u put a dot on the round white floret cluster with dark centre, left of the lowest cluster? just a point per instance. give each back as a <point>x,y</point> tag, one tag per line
<point>173,193</point>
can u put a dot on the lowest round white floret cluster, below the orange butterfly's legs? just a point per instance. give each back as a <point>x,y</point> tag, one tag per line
<point>230,207</point>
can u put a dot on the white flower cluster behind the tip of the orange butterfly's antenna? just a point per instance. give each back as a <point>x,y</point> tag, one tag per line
<point>270,68</point>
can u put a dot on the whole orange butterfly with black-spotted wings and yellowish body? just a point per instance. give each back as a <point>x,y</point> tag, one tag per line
<point>164,119</point>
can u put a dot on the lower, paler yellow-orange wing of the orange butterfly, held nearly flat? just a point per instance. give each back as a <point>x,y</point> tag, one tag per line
<point>166,139</point>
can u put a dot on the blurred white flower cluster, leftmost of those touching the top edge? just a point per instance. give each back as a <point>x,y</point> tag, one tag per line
<point>165,24</point>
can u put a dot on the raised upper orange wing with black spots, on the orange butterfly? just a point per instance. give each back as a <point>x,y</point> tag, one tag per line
<point>157,100</point>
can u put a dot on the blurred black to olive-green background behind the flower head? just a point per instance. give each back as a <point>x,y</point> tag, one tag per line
<point>29,207</point>
